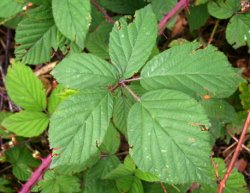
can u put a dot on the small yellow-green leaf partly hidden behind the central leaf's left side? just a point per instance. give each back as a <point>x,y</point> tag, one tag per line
<point>55,98</point>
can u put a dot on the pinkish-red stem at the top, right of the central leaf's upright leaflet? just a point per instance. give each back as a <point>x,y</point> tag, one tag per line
<point>178,7</point>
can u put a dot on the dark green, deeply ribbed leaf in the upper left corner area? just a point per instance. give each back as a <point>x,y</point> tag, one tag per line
<point>35,36</point>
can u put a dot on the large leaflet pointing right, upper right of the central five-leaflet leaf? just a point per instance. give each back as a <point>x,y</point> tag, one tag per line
<point>195,71</point>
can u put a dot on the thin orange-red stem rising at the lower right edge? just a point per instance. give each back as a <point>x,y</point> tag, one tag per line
<point>235,156</point>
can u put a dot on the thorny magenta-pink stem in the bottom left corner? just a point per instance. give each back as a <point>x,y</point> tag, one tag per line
<point>37,175</point>
